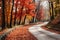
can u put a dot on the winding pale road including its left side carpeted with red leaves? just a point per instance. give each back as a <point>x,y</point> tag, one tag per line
<point>33,32</point>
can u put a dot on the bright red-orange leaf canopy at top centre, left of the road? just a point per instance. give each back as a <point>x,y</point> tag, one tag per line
<point>27,4</point>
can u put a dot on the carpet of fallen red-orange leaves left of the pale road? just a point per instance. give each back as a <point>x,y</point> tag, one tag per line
<point>20,33</point>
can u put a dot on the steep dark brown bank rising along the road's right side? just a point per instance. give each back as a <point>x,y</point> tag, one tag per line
<point>55,23</point>
